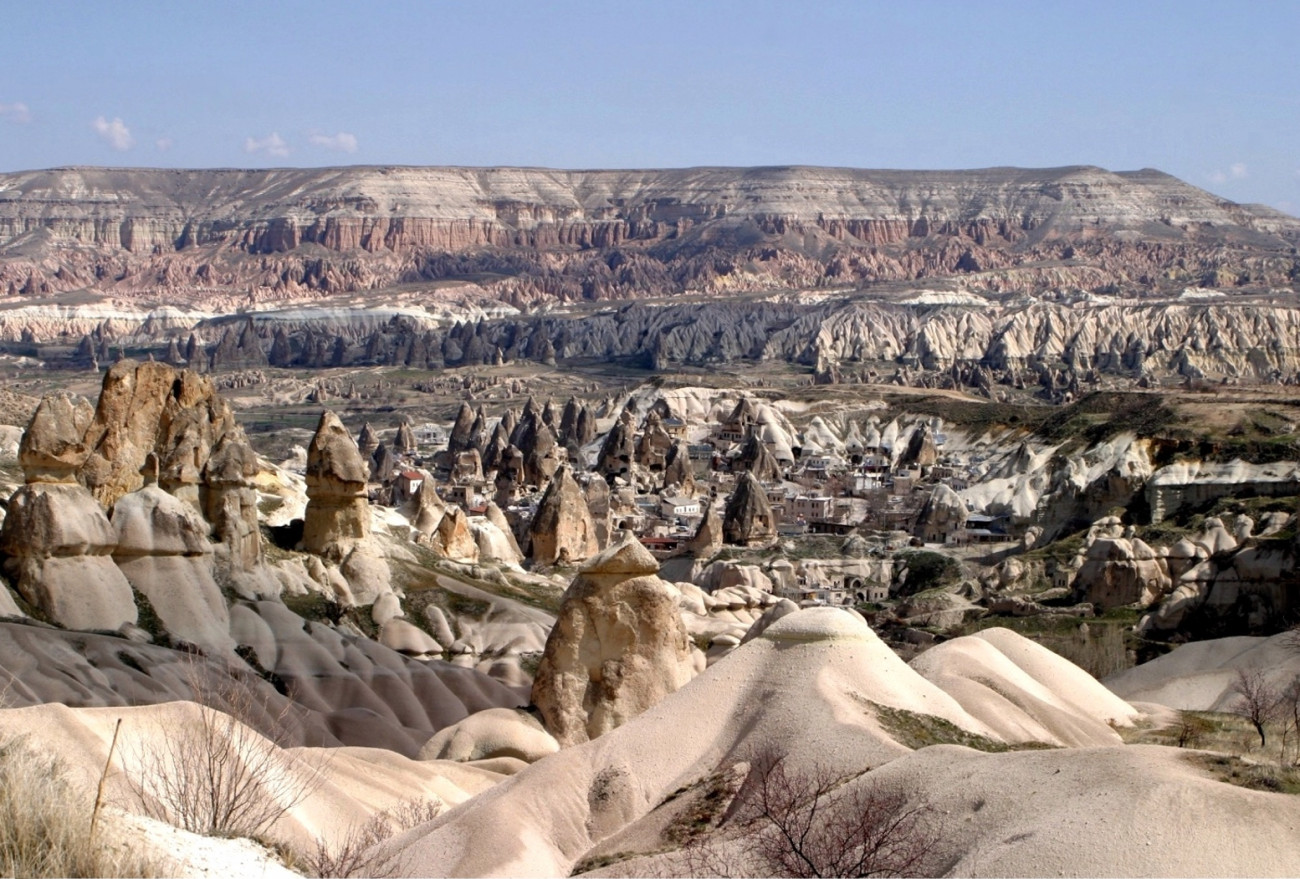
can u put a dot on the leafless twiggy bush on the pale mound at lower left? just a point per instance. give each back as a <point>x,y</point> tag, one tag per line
<point>213,773</point>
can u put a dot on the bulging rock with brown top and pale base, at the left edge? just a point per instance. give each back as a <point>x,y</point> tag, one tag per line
<point>59,543</point>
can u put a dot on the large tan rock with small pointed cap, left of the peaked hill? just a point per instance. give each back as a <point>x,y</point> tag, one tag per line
<point>618,648</point>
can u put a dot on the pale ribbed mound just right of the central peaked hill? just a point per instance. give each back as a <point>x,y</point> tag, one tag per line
<point>1024,691</point>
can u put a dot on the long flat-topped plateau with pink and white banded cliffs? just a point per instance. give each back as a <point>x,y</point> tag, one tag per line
<point>569,236</point>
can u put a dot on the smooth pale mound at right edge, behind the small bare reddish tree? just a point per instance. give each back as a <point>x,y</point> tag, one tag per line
<point>1199,677</point>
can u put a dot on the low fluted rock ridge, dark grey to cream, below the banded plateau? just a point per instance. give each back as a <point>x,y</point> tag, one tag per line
<point>1056,349</point>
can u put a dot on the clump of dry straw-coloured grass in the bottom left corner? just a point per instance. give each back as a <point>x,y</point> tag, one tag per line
<point>45,824</point>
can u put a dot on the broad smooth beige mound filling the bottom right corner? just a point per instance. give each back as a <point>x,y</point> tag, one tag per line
<point>1065,813</point>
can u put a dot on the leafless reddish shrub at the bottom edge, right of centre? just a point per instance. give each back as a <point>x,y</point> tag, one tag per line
<point>818,824</point>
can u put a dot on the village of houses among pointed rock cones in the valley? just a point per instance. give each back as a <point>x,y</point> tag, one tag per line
<point>687,488</point>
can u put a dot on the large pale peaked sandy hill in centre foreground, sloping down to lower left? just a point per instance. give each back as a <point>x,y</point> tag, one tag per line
<point>818,687</point>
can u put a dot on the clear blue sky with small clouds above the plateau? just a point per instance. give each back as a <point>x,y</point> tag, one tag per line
<point>1207,92</point>
